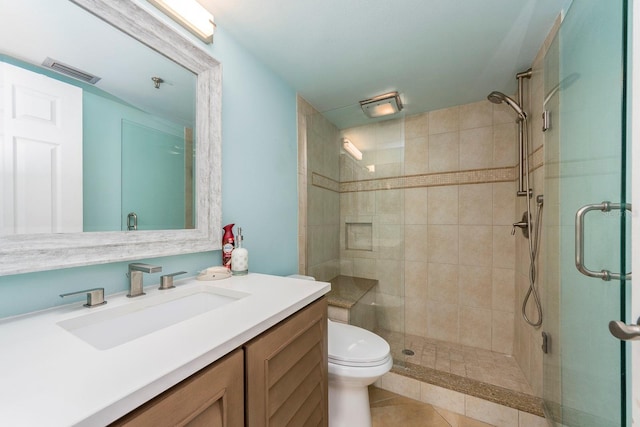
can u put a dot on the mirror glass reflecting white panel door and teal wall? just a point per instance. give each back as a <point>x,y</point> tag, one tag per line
<point>85,155</point>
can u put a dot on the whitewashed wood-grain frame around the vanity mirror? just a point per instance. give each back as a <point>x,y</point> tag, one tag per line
<point>21,253</point>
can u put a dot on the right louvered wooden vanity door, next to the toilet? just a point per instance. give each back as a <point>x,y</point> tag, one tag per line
<point>286,371</point>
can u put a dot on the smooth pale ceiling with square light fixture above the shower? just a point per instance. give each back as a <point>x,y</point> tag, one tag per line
<point>436,53</point>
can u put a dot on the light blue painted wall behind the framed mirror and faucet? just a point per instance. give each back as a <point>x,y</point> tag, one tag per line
<point>259,188</point>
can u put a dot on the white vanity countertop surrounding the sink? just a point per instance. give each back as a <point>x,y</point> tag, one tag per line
<point>50,377</point>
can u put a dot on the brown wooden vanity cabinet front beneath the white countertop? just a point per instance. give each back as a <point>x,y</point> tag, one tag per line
<point>277,379</point>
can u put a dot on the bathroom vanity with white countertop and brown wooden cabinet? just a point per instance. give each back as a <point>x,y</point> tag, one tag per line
<point>238,361</point>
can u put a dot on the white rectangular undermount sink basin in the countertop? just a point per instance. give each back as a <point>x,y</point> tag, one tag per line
<point>109,328</point>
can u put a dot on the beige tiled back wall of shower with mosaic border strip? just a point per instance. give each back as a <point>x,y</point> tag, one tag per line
<point>442,248</point>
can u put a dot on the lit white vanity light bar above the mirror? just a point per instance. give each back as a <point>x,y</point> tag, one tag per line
<point>191,15</point>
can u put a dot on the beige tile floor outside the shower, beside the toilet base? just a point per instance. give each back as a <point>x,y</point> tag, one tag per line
<point>391,410</point>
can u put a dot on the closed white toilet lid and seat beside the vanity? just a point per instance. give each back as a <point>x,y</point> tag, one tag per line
<point>351,345</point>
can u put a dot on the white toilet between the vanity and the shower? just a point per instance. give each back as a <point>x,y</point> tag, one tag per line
<point>357,358</point>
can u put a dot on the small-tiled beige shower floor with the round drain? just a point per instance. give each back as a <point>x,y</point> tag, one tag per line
<point>477,364</point>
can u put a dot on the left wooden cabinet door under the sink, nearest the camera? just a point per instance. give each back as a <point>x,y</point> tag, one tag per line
<point>212,397</point>
